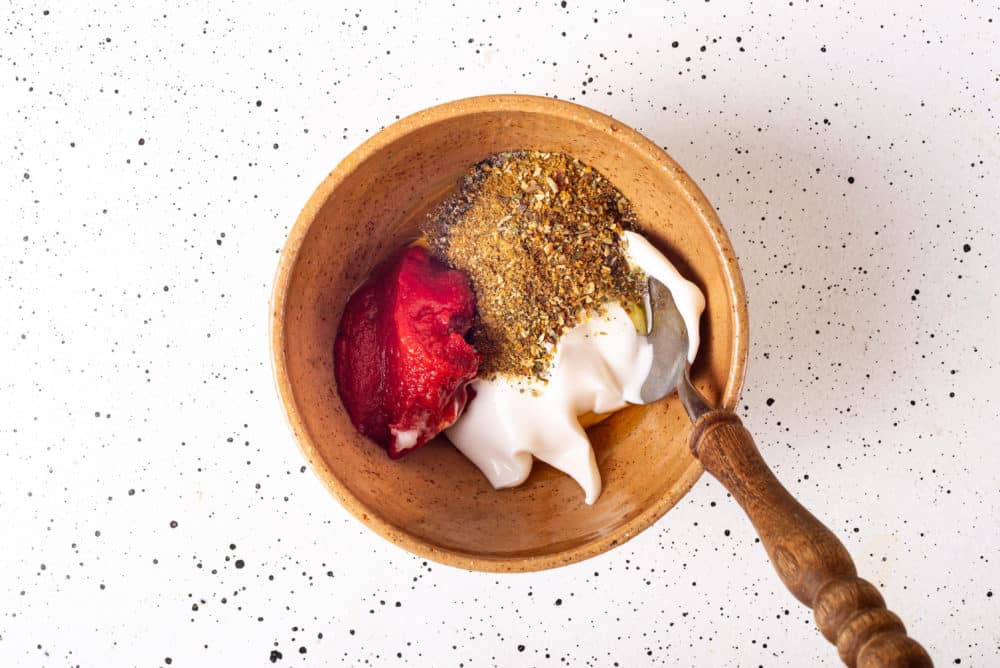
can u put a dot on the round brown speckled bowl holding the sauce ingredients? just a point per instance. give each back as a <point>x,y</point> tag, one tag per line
<point>434,502</point>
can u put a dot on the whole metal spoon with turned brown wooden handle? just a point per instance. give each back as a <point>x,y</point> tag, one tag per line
<point>814,565</point>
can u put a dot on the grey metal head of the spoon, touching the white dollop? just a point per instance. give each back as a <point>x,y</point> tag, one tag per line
<point>668,336</point>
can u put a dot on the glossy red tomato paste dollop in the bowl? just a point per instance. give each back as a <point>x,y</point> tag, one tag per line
<point>400,358</point>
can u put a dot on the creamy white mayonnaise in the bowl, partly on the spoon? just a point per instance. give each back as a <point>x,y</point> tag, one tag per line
<point>598,366</point>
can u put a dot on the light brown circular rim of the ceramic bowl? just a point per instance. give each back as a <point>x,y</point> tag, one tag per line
<point>289,256</point>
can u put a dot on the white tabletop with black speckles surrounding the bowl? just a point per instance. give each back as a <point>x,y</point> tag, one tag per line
<point>153,507</point>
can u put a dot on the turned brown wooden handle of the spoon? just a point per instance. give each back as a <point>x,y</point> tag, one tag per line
<point>809,559</point>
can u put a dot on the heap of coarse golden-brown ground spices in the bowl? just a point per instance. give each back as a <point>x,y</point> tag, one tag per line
<point>539,235</point>
